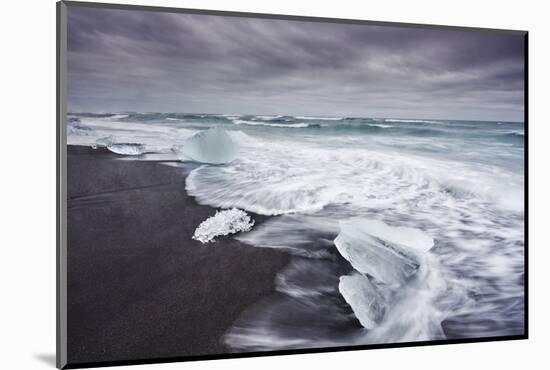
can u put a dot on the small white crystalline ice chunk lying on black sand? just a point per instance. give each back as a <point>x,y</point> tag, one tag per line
<point>226,222</point>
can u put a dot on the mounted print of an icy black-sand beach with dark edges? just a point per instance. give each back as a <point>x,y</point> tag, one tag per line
<point>235,184</point>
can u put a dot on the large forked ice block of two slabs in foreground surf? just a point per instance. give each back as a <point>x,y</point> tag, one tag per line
<point>385,259</point>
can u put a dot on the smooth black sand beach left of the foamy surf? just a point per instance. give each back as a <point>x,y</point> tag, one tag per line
<point>139,286</point>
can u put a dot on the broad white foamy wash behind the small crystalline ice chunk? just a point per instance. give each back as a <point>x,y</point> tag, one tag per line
<point>278,177</point>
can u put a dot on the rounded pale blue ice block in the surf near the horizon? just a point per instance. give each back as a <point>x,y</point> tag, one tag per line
<point>213,146</point>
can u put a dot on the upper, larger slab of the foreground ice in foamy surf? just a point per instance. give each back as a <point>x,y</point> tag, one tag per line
<point>389,254</point>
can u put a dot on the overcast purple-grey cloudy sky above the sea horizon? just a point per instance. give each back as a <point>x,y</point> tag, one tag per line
<point>129,60</point>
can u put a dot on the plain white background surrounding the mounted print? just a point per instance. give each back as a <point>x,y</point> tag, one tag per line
<point>27,206</point>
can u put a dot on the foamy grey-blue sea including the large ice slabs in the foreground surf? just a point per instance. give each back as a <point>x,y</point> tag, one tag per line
<point>365,182</point>
